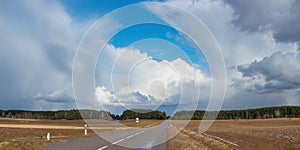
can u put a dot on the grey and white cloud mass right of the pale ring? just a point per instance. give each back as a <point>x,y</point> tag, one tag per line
<point>259,51</point>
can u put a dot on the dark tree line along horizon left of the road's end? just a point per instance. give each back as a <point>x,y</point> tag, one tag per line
<point>82,114</point>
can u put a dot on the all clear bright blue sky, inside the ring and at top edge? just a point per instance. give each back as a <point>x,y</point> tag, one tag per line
<point>82,10</point>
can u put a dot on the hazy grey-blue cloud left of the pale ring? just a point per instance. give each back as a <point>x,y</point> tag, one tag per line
<point>35,46</point>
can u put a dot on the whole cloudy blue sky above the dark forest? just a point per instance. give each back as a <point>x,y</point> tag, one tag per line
<point>150,66</point>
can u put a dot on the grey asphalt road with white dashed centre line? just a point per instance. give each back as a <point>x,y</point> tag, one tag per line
<point>143,138</point>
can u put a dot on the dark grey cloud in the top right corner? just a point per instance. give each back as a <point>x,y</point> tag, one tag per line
<point>282,16</point>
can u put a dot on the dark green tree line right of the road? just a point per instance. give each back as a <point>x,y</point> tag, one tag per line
<point>258,113</point>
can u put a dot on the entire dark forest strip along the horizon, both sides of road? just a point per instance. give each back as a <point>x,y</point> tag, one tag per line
<point>258,113</point>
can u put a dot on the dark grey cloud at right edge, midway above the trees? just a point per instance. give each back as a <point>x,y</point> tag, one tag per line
<point>272,74</point>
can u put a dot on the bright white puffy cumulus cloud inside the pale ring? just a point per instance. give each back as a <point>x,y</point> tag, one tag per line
<point>133,79</point>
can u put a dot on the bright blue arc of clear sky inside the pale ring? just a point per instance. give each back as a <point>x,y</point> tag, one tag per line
<point>133,34</point>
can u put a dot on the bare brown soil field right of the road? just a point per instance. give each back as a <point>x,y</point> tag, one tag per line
<point>265,134</point>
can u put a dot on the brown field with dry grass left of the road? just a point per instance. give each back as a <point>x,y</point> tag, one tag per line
<point>19,138</point>
